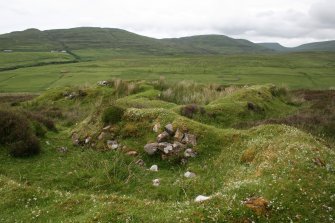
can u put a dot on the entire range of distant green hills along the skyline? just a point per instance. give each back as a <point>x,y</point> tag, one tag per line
<point>112,38</point>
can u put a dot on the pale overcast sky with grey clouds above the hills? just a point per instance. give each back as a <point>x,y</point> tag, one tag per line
<point>289,22</point>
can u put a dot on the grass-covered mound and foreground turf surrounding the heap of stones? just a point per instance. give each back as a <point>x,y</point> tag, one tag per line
<point>267,173</point>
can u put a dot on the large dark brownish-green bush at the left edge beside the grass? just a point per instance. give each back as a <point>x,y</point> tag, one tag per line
<point>16,134</point>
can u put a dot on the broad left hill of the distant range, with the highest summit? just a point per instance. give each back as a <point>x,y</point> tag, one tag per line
<point>77,38</point>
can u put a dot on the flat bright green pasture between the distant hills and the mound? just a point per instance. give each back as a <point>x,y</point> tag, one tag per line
<point>294,70</point>
